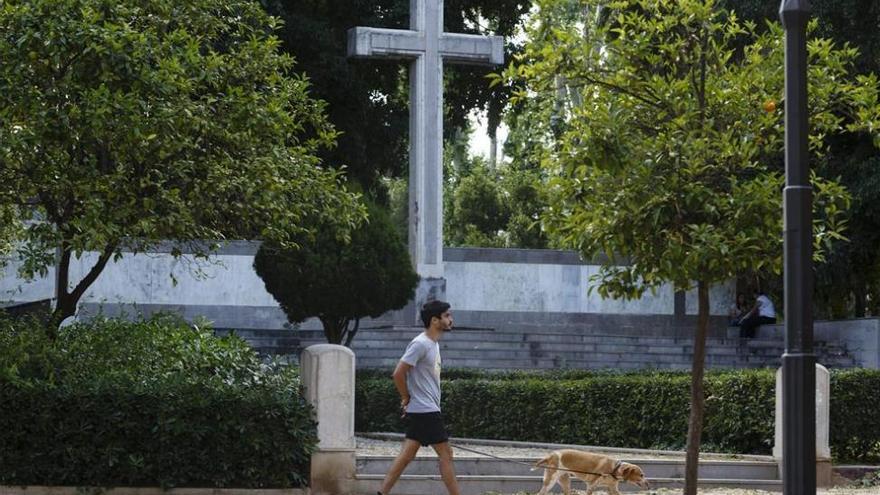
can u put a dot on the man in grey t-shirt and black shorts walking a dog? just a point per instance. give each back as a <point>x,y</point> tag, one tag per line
<point>417,379</point>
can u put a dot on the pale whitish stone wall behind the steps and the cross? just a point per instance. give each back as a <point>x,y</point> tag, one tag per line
<point>226,289</point>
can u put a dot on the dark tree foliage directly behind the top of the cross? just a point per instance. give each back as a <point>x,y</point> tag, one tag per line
<point>367,100</point>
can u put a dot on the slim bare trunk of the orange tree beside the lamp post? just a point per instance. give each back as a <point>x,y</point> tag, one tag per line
<point>695,422</point>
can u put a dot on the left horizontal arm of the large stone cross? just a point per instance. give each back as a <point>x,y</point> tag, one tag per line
<point>367,42</point>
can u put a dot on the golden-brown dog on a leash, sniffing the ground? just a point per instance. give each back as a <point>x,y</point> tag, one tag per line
<point>594,469</point>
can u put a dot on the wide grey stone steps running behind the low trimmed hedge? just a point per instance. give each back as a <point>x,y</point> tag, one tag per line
<point>381,347</point>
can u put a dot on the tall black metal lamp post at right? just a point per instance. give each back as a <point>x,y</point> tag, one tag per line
<point>798,362</point>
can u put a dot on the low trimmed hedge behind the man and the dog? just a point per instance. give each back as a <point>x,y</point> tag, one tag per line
<point>634,409</point>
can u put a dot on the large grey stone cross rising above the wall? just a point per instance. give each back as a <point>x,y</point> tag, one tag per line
<point>427,47</point>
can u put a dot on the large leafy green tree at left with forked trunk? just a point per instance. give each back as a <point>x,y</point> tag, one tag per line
<point>124,124</point>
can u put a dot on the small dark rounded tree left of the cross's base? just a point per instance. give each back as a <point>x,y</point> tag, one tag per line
<point>338,281</point>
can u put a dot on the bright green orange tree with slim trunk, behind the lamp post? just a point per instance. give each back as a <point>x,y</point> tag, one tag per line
<point>665,112</point>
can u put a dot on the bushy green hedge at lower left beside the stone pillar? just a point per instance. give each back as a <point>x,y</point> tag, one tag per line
<point>150,403</point>
